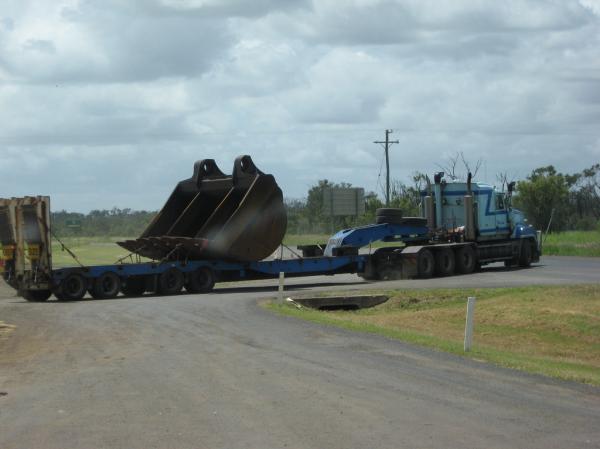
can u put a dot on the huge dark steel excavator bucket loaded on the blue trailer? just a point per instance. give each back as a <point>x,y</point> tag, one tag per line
<point>214,216</point>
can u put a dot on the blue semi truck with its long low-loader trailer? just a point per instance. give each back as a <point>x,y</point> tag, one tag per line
<point>463,226</point>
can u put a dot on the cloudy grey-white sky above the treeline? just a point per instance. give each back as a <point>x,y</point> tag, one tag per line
<point>108,103</point>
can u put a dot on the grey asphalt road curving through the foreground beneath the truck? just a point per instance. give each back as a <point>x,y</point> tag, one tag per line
<point>217,371</point>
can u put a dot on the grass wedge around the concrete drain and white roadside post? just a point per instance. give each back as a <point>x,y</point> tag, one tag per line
<point>554,331</point>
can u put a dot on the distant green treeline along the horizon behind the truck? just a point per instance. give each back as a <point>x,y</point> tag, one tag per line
<point>575,200</point>
